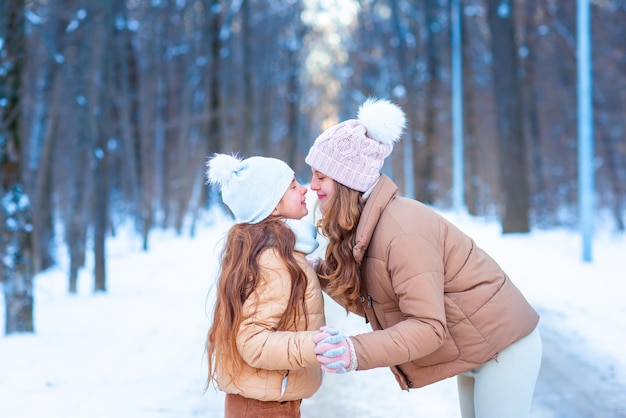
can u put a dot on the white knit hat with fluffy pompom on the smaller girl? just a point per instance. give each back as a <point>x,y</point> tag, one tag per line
<point>251,188</point>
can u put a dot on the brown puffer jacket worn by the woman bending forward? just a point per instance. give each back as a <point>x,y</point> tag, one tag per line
<point>443,306</point>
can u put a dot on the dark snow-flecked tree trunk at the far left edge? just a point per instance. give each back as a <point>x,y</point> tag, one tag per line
<point>16,262</point>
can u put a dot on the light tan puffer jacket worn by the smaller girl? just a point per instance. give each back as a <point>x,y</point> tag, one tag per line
<point>272,355</point>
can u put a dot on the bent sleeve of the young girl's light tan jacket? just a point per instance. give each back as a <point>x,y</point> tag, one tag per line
<point>258,342</point>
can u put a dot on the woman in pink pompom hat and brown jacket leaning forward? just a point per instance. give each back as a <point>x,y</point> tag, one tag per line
<point>439,305</point>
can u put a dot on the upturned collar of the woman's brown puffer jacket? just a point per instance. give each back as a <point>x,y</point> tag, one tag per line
<point>384,191</point>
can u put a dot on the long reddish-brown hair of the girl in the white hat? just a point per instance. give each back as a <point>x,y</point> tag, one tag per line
<point>239,277</point>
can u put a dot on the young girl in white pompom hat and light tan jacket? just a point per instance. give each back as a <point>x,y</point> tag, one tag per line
<point>269,304</point>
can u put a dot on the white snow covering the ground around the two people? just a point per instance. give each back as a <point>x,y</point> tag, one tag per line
<point>137,350</point>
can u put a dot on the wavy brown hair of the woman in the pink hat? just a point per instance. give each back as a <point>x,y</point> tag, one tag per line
<point>339,225</point>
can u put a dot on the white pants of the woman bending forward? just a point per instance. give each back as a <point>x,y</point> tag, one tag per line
<point>503,387</point>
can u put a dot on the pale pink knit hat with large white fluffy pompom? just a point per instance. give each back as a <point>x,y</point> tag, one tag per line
<point>353,152</point>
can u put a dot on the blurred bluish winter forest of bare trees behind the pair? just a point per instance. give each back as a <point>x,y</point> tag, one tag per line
<point>109,109</point>
